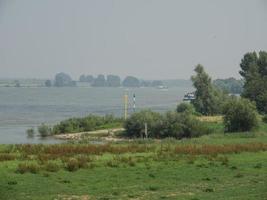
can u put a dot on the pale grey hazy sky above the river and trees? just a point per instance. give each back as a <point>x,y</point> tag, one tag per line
<point>151,39</point>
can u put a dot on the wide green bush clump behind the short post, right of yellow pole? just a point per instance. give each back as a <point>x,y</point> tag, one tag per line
<point>170,124</point>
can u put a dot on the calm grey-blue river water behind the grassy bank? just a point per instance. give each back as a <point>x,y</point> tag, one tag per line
<point>23,108</point>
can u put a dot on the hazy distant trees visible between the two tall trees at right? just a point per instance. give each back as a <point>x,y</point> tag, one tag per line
<point>230,85</point>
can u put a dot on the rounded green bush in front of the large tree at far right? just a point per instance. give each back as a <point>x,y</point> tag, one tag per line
<point>240,115</point>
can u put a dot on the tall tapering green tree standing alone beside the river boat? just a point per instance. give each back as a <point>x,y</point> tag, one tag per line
<point>208,99</point>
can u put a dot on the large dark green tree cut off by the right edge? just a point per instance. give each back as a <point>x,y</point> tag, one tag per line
<point>254,71</point>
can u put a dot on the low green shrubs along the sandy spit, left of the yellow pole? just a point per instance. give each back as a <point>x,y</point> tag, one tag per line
<point>89,123</point>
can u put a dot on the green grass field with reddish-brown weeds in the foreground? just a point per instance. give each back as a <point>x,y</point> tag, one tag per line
<point>216,166</point>
